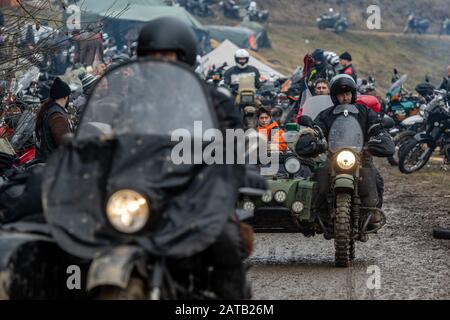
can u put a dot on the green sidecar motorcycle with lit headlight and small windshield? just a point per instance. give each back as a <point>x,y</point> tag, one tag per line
<point>295,202</point>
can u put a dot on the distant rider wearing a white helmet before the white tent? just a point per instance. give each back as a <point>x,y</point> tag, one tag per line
<point>242,68</point>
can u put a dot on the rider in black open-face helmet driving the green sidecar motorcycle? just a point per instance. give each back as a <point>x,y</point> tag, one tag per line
<point>343,90</point>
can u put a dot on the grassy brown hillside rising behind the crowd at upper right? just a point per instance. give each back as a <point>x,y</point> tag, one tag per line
<point>293,33</point>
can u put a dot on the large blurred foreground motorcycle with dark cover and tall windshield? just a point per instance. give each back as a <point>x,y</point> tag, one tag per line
<point>138,225</point>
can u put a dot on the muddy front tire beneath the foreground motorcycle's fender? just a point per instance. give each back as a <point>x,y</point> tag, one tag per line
<point>134,291</point>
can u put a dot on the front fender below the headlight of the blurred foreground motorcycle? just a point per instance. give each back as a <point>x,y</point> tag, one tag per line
<point>114,267</point>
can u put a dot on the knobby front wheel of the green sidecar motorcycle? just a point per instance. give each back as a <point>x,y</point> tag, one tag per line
<point>342,230</point>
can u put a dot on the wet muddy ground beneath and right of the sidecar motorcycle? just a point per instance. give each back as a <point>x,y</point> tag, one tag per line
<point>410,263</point>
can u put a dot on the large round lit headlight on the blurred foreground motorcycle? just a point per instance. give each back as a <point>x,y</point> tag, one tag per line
<point>127,211</point>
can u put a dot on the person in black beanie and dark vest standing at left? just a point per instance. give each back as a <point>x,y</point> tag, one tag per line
<point>52,122</point>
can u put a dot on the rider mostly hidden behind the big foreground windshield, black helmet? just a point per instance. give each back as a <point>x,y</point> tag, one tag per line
<point>169,39</point>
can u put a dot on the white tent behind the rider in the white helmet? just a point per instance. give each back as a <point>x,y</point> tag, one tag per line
<point>225,53</point>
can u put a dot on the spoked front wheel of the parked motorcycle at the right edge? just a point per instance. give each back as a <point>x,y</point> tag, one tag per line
<point>414,156</point>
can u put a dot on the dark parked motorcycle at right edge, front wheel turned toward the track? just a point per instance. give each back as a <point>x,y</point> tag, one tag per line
<point>416,153</point>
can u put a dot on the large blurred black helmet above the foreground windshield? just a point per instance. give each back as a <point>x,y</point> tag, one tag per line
<point>168,34</point>
